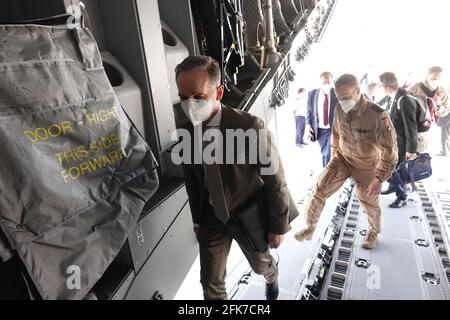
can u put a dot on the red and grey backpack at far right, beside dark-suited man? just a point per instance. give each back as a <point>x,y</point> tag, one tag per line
<point>426,113</point>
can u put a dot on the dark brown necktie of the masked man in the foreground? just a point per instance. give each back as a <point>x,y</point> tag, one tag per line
<point>216,193</point>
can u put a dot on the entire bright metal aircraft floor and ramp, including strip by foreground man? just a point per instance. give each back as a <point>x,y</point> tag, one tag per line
<point>410,262</point>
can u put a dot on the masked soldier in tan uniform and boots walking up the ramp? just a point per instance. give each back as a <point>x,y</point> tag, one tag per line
<point>363,147</point>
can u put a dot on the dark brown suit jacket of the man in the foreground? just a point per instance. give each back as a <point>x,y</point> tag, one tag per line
<point>241,182</point>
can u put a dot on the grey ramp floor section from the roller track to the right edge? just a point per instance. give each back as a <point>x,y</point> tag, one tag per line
<point>407,264</point>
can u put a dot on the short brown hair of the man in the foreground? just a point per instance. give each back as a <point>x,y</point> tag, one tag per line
<point>204,63</point>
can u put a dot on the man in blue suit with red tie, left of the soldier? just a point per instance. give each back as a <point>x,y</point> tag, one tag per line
<point>321,104</point>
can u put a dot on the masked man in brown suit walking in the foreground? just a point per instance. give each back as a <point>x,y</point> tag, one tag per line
<point>220,193</point>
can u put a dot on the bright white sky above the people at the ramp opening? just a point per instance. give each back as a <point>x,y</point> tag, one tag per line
<point>375,36</point>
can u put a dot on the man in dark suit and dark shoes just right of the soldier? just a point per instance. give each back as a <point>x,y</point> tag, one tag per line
<point>403,112</point>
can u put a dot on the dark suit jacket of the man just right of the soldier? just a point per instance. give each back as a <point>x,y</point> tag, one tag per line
<point>403,118</point>
